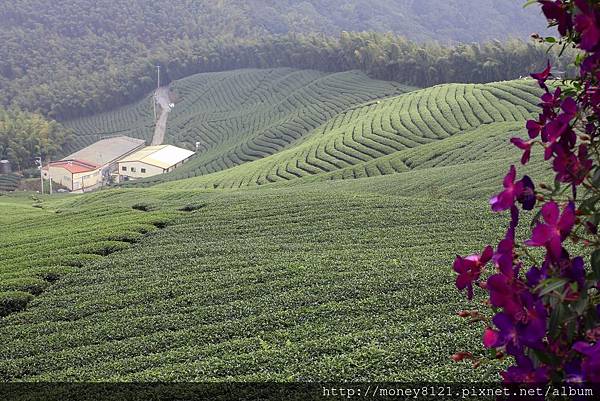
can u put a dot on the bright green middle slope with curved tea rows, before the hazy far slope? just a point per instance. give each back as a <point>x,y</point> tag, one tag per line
<point>420,129</point>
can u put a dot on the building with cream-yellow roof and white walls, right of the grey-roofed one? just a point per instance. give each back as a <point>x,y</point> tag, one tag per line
<point>153,160</point>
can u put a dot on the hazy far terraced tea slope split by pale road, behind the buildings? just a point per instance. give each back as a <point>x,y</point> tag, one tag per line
<point>239,116</point>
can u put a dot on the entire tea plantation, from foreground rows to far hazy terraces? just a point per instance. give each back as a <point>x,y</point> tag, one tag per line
<point>326,255</point>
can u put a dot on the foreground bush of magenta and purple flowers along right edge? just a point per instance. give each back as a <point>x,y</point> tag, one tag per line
<point>547,311</point>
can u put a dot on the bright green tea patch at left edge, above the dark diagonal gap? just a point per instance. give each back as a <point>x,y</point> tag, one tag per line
<point>40,243</point>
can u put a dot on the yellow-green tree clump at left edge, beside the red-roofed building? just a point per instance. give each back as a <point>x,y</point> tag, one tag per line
<point>24,136</point>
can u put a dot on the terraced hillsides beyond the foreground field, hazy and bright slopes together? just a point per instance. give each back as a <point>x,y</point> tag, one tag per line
<point>284,124</point>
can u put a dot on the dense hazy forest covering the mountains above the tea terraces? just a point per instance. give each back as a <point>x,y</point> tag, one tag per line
<point>69,58</point>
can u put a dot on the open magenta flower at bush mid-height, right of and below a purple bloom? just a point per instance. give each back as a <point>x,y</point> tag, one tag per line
<point>555,230</point>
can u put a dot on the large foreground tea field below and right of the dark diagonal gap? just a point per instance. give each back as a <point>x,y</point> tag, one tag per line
<point>300,283</point>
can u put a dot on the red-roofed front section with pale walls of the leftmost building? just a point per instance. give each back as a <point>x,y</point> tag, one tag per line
<point>75,175</point>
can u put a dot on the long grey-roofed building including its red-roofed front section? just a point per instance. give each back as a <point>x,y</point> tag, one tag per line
<point>92,166</point>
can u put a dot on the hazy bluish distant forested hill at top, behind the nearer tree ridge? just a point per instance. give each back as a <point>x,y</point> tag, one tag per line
<point>445,21</point>
